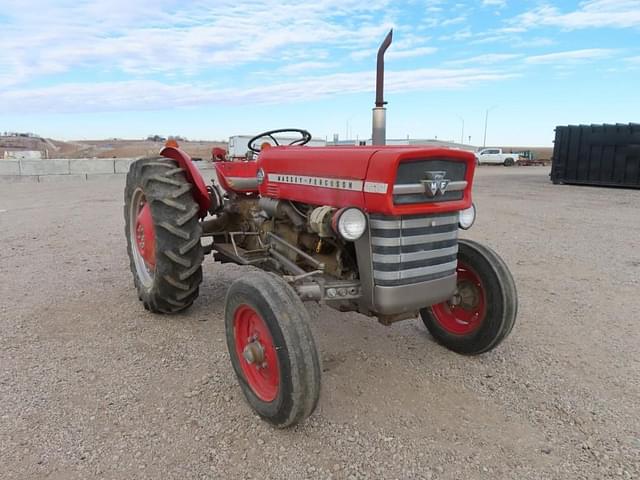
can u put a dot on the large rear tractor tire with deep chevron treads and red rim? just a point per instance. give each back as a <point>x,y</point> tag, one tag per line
<point>163,235</point>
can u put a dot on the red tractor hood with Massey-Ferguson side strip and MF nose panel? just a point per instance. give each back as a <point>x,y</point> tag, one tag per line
<point>391,180</point>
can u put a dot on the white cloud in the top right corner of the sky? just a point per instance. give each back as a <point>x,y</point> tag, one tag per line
<point>589,14</point>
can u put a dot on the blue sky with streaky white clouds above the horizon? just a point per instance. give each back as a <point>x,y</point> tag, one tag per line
<point>78,69</point>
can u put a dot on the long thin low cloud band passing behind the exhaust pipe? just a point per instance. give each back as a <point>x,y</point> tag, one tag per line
<point>152,95</point>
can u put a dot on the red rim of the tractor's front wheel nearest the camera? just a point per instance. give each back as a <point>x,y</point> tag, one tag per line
<point>256,353</point>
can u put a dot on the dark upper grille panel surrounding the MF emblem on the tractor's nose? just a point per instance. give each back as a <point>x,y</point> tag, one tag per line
<point>408,188</point>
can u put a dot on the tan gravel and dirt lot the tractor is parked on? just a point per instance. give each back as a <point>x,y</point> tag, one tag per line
<point>92,386</point>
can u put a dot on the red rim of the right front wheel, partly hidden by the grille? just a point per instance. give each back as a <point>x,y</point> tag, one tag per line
<point>464,312</point>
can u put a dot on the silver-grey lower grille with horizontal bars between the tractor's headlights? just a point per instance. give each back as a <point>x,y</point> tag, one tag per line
<point>412,249</point>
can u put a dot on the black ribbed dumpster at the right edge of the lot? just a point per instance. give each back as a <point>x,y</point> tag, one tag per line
<point>607,155</point>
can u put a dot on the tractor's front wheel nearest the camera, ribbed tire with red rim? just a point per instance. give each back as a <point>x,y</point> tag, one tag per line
<point>271,348</point>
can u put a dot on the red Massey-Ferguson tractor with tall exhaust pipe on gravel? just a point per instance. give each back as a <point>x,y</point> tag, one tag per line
<point>368,229</point>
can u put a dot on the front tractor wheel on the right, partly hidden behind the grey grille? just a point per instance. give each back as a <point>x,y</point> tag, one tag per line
<point>484,308</point>
